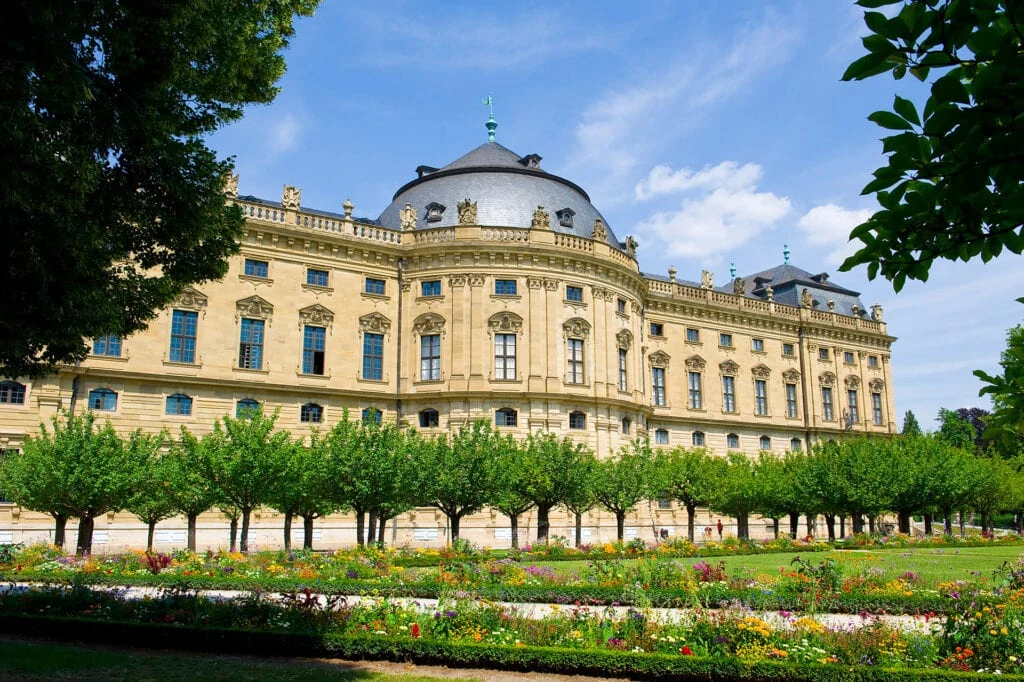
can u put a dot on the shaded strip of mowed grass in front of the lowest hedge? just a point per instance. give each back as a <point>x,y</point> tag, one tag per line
<point>24,661</point>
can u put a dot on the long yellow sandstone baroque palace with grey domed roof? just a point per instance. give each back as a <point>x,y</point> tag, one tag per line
<point>489,289</point>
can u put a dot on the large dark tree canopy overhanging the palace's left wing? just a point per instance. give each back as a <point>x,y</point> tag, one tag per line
<point>110,201</point>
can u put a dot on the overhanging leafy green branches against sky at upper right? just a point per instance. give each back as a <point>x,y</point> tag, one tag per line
<point>953,187</point>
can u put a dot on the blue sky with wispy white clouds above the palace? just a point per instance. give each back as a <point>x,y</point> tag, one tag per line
<point>713,132</point>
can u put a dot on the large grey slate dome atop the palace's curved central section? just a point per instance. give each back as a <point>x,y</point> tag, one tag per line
<point>507,190</point>
